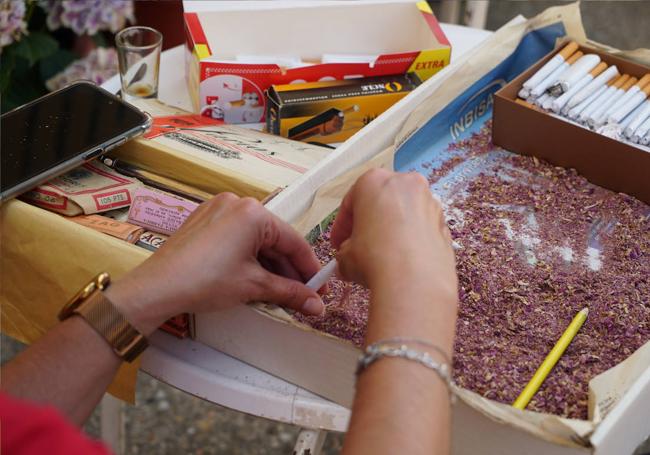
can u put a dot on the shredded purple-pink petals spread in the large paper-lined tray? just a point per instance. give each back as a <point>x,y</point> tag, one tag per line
<point>536,244</point>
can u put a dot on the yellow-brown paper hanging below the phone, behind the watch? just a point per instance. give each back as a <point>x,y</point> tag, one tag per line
<point>44,260</point>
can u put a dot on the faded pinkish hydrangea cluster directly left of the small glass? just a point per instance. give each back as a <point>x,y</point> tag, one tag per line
<point>99,66</point>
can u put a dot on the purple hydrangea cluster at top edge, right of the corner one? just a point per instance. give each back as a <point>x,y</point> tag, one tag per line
<point>88,16</point>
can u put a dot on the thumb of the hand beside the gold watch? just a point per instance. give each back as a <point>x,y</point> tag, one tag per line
<point>289,293</point>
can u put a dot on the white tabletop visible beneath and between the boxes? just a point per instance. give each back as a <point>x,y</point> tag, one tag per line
<point>209,374</point>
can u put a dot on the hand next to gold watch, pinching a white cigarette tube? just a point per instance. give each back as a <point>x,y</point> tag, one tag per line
<point>230,251</point>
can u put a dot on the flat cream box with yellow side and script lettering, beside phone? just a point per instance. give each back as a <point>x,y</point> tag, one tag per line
<point>214,157</point>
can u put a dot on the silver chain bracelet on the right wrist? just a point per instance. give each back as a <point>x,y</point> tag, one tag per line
<point>381,349</point>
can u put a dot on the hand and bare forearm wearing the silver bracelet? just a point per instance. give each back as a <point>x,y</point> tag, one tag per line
<point>392,237</point>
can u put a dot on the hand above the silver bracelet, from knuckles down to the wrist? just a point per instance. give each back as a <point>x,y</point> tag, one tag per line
<point>389,228</point>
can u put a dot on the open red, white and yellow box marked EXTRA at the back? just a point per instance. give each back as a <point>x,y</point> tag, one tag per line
<point>234,55</point>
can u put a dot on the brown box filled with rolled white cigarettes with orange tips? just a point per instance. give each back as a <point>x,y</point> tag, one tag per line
<point>582,124</point>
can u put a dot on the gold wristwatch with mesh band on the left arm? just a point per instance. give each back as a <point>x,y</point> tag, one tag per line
<point>92,305</point>
